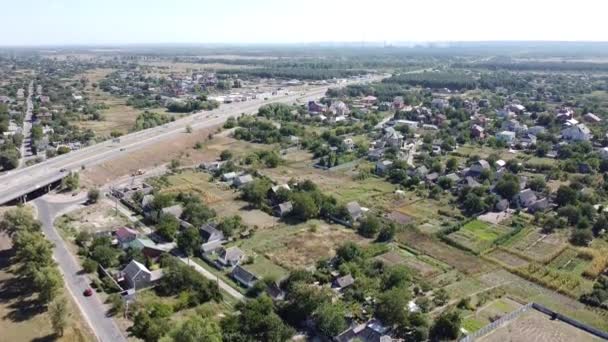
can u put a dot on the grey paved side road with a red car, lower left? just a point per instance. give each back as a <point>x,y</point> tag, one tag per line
<point>93,310</point>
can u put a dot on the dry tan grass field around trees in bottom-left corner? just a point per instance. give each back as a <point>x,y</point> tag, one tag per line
<point>21,319</point>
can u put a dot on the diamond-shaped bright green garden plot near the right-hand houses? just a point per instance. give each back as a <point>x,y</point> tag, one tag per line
<point>478,236</point>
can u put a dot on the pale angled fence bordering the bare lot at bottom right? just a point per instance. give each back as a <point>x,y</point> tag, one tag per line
<point>554,315</point>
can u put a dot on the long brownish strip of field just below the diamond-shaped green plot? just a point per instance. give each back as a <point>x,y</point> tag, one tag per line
<point>450,255</point>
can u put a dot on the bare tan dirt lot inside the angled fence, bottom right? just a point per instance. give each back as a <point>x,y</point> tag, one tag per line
<point>537,327</point>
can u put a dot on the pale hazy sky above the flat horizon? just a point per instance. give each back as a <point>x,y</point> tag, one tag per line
<point>99,22</point>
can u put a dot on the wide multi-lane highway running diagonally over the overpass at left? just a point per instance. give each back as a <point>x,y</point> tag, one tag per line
<point>15,184</point>
